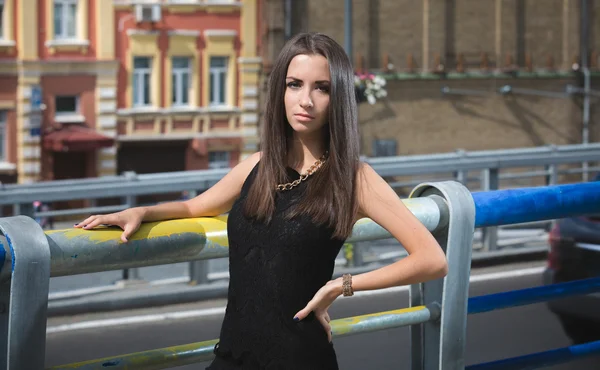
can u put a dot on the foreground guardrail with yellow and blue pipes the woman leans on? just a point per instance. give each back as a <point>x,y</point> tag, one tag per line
<point>438,313</point>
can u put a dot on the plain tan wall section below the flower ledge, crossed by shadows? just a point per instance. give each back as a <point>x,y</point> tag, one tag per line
<point>422,120</point>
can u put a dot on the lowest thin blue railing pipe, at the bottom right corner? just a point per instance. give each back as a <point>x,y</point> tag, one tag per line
<point>541,359</point>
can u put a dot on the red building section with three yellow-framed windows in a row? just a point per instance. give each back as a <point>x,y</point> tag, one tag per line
<point>187,84</point>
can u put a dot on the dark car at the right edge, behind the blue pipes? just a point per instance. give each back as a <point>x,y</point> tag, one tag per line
<point>575,255</point>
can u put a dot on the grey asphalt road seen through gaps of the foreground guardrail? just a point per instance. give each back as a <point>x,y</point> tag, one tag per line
<point>490,336</point>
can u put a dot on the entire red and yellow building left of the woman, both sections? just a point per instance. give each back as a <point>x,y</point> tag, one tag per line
<point>93,88</point>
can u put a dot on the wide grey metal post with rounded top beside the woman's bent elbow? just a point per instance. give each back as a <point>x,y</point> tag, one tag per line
<point>443,342</point>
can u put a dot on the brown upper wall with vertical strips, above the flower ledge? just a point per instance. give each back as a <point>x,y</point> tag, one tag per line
<point>538,28</point>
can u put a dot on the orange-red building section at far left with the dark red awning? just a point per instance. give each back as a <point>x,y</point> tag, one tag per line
<point>57,90</point>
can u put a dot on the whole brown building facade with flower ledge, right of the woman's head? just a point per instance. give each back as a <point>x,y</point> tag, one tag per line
<point>474,48</point>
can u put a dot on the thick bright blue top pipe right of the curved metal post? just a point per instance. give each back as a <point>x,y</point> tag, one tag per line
<point>505,207</point>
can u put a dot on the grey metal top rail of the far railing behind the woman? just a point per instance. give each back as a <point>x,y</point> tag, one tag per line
<point>458,164</point>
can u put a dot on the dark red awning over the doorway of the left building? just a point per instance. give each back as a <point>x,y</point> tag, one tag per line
<point>76,138</point>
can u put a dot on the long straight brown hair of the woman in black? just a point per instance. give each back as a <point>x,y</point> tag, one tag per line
<point>330,196</point>
